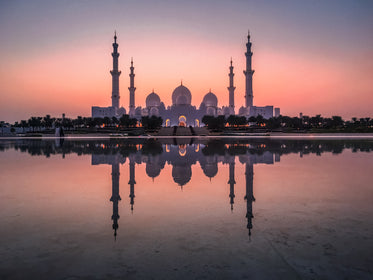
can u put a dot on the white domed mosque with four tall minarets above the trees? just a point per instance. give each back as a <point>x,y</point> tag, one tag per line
<point>182,112</point>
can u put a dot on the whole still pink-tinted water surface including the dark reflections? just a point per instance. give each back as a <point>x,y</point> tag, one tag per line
<point>186,209</point>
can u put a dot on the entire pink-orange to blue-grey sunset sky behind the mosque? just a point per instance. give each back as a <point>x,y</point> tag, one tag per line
<point>314,57</point>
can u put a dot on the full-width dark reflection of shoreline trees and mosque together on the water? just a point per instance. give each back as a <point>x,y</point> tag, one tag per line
<point>181,154</point>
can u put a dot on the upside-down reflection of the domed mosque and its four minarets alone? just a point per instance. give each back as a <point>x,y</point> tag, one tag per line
<point>181,157</point>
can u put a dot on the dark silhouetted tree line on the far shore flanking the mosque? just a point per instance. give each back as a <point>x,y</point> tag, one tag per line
<point>233,123</point>
